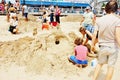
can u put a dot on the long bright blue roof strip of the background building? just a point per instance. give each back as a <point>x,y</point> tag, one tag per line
<point>61,3</point>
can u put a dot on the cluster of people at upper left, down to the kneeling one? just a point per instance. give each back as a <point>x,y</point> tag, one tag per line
<point>11,10</point>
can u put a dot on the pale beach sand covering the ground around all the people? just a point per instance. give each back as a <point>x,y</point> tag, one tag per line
<point>25,56</point>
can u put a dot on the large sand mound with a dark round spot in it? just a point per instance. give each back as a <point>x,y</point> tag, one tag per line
<point>41,55</point>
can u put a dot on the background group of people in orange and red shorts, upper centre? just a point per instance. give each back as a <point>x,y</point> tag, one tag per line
<point>54,19</point>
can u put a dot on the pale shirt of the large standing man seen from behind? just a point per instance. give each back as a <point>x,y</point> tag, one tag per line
<point>106,26</point>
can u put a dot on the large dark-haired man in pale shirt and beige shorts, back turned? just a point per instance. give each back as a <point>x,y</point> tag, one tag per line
<point>108,28</point>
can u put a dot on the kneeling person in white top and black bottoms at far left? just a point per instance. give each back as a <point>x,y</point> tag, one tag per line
<point>13,25</point>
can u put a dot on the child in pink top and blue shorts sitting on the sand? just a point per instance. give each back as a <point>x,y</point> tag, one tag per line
<point>81,52</point>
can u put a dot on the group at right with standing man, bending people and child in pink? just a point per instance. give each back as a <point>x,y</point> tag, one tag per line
<point>105,32</point>
